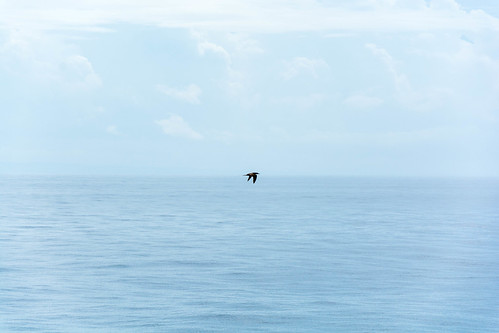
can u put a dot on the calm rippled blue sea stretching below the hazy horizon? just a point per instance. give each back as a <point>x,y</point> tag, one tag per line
<point>222,255</point>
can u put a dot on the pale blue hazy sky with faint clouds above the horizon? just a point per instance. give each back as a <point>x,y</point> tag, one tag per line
<point>299,87</point>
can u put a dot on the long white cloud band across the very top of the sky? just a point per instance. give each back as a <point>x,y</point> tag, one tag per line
<point>249,16</point>
